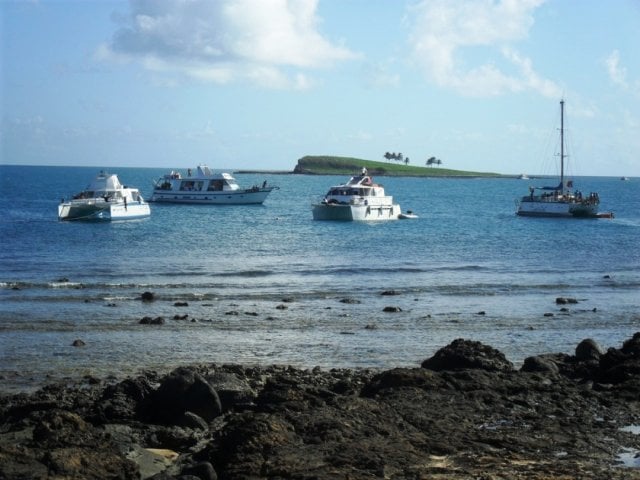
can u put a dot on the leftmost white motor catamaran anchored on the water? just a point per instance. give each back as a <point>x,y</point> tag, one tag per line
<point>103,200</point>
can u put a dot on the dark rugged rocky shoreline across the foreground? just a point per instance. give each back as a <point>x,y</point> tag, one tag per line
<point>465,413</point>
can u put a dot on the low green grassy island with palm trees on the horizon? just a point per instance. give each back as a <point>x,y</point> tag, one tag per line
<point>331,165</point>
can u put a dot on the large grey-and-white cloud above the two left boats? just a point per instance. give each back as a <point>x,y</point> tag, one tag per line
<point>267,42</point>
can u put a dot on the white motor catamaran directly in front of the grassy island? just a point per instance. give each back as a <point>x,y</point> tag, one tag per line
<point>358,199</point>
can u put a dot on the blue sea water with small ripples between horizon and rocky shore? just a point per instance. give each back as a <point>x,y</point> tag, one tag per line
<point>268,285</point>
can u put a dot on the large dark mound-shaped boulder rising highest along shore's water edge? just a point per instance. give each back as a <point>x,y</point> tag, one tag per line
<point>468,354</point>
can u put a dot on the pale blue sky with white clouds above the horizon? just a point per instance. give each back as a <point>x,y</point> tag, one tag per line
<point>258,84</point>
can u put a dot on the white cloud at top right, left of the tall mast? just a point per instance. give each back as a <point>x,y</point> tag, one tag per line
<point>445,30</point>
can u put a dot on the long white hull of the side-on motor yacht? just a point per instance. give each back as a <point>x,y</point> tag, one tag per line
<point>236,197</point>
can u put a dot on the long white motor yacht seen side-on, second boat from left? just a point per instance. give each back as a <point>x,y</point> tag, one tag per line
<point>207,187</point>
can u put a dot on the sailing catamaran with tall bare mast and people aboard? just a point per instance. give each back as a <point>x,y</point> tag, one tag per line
<point>559,200</point>
